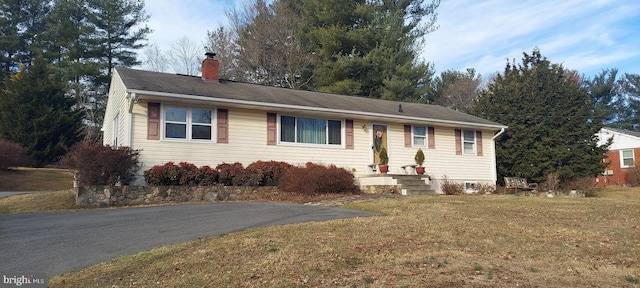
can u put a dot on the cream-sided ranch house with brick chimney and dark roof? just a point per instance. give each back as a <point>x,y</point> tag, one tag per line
<point>207,121</point>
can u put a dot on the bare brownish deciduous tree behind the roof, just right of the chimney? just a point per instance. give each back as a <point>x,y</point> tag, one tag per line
<point>266,49</point>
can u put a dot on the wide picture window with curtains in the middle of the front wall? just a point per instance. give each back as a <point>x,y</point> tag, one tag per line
<point>310,130</point>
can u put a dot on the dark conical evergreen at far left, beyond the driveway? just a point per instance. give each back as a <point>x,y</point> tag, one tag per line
<point>35,113</point>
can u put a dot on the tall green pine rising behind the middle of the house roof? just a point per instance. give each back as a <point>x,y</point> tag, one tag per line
<point>369,48</point>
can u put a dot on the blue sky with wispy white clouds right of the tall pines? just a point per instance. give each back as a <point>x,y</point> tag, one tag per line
<point>583,35</point>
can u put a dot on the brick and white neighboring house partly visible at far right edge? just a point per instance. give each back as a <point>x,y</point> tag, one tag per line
<point>621,156</point>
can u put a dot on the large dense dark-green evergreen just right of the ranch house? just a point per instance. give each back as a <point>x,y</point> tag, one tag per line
<point>549,118</point>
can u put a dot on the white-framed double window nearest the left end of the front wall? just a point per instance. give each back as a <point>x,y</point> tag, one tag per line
<point>188,123</point>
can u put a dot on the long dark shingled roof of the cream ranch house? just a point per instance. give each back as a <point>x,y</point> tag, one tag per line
<point>182,85</point>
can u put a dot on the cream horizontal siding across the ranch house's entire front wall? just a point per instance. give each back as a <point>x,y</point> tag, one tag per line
<point>248,143</point>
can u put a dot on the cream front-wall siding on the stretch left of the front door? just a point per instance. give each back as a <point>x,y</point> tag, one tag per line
<point>247,143</point>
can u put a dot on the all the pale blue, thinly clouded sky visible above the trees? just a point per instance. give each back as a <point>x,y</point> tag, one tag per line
<point>584,35</point>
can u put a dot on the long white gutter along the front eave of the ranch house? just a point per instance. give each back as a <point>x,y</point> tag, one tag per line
<point>307,108</point>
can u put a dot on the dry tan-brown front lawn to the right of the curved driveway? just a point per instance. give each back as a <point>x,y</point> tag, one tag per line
<point>442,241</point>
